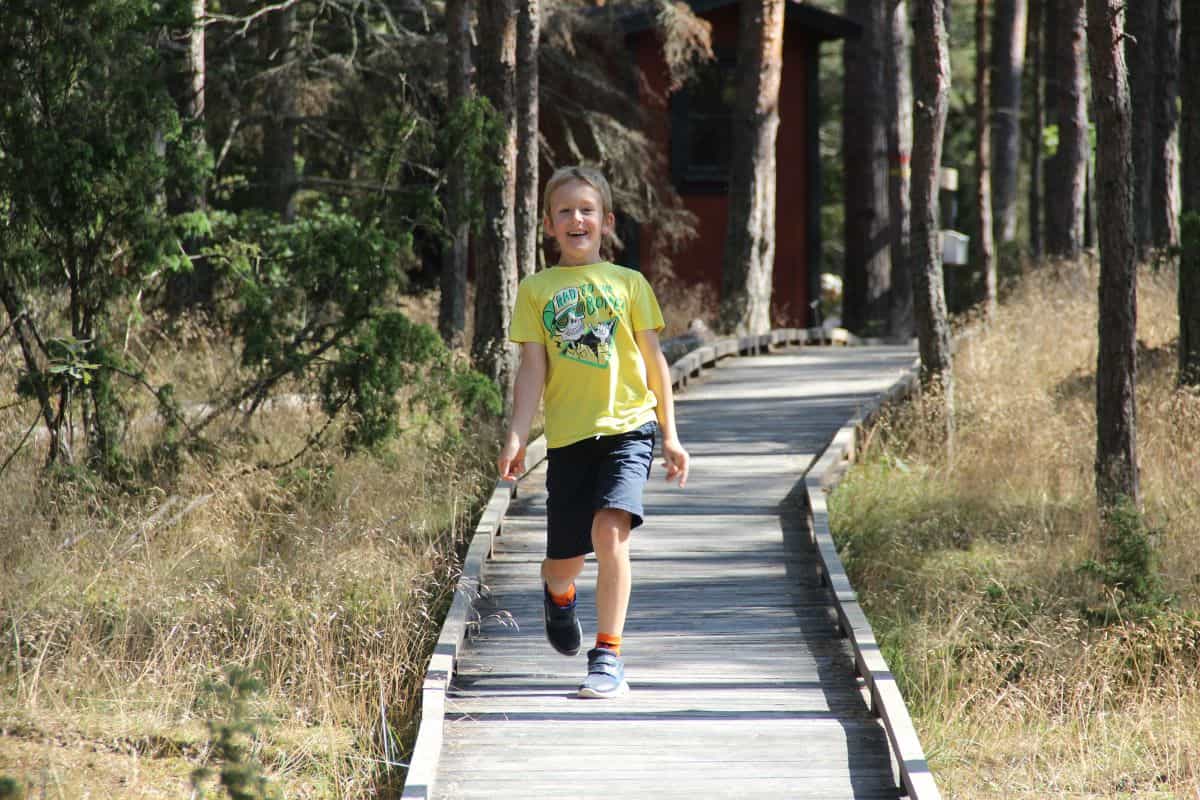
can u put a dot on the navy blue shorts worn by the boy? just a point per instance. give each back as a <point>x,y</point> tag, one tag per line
<point>590,476</point>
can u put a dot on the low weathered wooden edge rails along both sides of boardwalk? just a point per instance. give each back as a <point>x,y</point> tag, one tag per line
<point>909,759</point>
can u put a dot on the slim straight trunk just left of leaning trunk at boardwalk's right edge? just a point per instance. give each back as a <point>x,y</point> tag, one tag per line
<point>898,92</point>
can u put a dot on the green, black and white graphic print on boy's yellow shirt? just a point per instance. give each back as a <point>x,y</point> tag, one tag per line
<point>581,322</point>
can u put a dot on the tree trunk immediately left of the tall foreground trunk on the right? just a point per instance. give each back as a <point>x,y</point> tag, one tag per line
<point>1067,171</point>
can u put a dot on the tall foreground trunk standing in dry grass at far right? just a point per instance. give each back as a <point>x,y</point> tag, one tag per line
<point>1117,370</point>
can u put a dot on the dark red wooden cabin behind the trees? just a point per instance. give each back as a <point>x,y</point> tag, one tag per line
<point>695,129</point>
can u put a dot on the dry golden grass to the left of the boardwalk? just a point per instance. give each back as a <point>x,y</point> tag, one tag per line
<point>325,578</point>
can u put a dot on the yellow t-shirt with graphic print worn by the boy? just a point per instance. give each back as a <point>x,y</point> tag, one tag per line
<point>596,377</point>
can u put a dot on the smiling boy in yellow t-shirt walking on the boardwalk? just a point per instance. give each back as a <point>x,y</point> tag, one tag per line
<point>589,336</point>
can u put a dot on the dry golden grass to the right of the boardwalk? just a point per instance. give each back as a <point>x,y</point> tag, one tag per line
<point>970,570</point>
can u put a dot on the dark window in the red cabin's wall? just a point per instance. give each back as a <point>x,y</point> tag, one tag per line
<point>703,129</point>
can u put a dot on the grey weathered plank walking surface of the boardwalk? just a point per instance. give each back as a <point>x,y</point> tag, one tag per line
<point>742,687</point>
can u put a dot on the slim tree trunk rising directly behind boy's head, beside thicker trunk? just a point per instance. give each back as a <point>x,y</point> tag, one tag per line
<point>527,219</point>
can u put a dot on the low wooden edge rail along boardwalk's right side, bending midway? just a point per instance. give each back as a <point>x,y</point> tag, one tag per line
<point>886,699</point>
